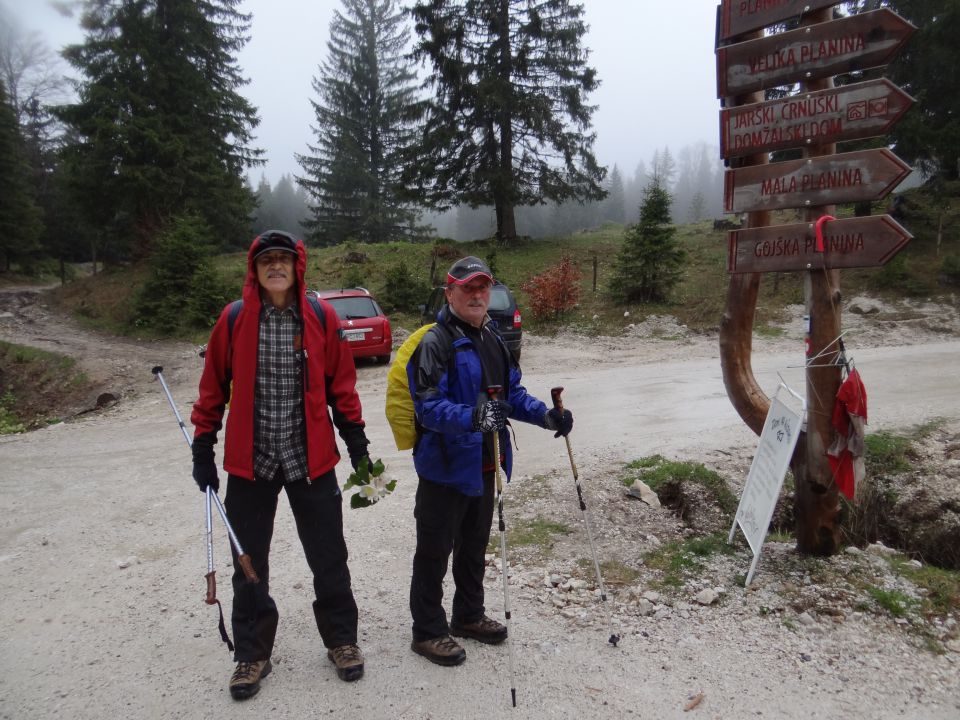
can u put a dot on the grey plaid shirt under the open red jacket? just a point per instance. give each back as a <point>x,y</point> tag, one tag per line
<point>279,438</point>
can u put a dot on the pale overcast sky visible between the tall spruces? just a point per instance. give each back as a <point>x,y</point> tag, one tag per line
<point>655,62</point>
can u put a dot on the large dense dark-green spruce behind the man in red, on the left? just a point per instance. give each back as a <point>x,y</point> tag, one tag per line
<point>160,128</point>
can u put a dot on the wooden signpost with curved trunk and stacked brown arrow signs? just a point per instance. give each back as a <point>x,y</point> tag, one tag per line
<point>750,62</point>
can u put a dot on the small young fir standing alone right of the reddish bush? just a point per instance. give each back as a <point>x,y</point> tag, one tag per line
<point>650,263</point>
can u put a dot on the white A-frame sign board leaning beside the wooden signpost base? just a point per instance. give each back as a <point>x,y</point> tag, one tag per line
<point>777,441</point>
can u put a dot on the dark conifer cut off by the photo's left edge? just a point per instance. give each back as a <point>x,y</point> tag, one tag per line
<point>20,223</point>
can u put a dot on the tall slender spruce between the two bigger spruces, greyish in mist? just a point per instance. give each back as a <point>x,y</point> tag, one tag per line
<point>366,115</point>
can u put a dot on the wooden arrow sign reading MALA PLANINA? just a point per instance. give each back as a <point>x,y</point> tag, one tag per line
<point>826,180</point>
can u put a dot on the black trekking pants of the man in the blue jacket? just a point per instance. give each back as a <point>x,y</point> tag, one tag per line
<point>449,521</point>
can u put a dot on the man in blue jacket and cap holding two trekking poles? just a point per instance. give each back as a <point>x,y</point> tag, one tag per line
<point>455,363</point>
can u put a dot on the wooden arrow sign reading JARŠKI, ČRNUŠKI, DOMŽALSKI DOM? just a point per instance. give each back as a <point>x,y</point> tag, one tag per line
<point>851,112</point>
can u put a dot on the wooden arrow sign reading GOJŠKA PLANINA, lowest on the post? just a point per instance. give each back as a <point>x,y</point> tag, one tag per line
<point>850,242</point>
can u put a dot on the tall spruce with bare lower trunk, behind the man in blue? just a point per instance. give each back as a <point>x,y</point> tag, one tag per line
<point>509,123</point>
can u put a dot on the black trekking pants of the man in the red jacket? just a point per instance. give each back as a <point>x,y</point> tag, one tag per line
<point>317,509</point>
